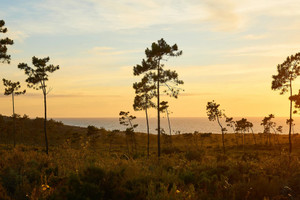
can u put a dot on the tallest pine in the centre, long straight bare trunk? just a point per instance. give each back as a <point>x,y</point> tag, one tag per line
<point>154,70</point>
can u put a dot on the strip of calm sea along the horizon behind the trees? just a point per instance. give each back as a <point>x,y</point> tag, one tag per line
<point>178,124</point>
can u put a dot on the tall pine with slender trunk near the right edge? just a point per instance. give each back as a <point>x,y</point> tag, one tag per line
<point>287,73</point>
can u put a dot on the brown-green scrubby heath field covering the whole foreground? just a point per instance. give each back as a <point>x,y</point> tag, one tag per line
<point>99,164</point>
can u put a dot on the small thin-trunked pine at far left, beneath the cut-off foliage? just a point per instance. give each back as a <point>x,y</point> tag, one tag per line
<point>11,88</point>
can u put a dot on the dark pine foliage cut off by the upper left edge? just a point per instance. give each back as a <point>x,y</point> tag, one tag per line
<point>3,44</point>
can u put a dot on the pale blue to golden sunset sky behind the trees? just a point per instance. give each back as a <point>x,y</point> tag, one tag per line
<point>230,51</point>
